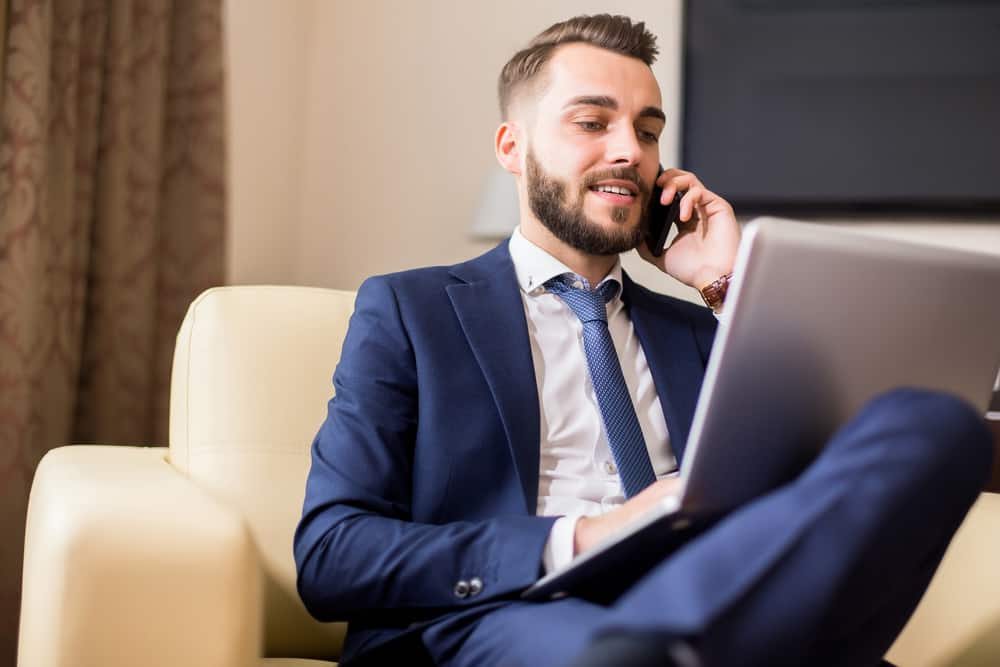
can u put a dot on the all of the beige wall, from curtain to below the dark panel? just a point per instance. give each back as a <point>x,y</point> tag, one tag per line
<point>361,132</point>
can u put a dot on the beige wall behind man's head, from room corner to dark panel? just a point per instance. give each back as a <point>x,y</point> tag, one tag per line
<point>400,119</point>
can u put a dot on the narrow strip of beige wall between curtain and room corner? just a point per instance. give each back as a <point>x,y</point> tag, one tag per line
<point>266,61</point>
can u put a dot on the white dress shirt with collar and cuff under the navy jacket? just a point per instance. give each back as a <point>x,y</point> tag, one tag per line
<point>577,474</point>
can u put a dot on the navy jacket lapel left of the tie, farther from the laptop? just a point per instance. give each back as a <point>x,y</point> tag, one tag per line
<point>490,310</point>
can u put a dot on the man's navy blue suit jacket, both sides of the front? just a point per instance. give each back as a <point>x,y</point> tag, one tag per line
<point>425,471</point>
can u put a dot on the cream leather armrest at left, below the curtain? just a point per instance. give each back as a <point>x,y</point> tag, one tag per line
<point>127,562</point>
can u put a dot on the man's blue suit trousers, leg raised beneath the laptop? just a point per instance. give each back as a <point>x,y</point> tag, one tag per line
<point>825,570</point>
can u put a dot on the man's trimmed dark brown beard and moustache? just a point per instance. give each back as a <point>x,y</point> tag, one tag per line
<point>566,220</point>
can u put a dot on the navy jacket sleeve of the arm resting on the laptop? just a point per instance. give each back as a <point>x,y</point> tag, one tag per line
<point>357,549</point>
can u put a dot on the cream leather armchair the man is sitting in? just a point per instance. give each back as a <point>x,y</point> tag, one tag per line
<point>150,556</point>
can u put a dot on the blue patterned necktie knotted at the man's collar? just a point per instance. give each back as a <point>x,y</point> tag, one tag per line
<point>617,411</point>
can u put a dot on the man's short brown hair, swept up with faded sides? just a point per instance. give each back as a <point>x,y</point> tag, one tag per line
<point>614,33</point>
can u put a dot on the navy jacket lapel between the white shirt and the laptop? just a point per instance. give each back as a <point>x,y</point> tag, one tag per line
<point>668,341</point>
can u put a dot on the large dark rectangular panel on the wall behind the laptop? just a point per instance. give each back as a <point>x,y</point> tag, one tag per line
<point>814,106</point>
